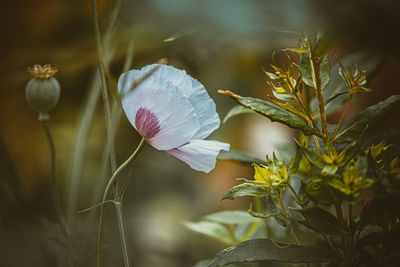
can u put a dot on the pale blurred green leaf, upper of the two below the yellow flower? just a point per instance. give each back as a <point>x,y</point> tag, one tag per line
<point>231,217</point>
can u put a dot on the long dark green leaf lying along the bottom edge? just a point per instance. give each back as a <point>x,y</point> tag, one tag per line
<point>267,250</point>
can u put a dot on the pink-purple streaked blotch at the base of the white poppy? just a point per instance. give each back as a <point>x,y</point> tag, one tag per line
<point>147,123</point>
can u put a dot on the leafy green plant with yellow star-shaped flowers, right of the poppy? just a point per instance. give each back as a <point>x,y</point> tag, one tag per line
<point>331,164</point>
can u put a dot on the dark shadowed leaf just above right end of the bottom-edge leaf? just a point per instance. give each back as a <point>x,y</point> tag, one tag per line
<point>323,221</point>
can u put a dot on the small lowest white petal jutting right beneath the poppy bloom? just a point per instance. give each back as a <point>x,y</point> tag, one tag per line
<point>200,155</point>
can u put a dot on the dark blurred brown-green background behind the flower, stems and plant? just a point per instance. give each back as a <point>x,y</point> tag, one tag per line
<point>222,43</point>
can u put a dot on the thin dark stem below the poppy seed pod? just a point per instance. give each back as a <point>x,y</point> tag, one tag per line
<point>54,192</point>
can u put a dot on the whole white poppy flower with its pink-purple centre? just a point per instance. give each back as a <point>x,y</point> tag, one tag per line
<point>173,112</point>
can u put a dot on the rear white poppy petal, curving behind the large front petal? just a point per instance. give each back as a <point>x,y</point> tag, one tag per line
<point>198,96</point>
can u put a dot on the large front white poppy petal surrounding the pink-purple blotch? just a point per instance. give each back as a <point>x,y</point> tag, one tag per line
<point>175,113</point>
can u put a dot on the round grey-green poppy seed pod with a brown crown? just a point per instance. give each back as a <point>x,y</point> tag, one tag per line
<point>43,90</point>
